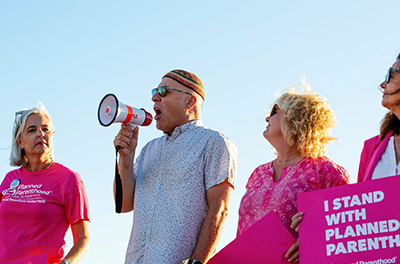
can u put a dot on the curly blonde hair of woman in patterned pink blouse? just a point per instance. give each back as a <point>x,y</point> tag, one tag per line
<point>307,121</point>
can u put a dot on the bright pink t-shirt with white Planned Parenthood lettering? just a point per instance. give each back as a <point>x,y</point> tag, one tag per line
<point>35,216</point>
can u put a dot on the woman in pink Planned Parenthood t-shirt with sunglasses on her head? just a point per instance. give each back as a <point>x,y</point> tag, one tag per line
<point>42,198</point>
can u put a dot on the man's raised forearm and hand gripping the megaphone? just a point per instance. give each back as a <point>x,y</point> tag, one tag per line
<point>127,139</point>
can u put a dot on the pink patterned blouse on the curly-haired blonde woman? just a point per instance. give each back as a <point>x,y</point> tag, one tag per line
<point>264,195</point>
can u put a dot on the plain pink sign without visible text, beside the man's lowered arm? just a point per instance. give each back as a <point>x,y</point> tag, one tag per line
<point>267,241</point>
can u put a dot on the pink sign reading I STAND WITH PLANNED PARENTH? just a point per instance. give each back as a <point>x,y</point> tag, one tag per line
<point>357,223</point>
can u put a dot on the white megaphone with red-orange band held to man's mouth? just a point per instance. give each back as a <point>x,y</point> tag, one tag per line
<point>113,111</point>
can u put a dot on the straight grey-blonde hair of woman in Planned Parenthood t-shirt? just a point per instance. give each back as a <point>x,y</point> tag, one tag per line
<point>18,156</point>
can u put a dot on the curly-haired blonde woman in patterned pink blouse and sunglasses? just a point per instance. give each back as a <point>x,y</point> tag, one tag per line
<point>298,128</point>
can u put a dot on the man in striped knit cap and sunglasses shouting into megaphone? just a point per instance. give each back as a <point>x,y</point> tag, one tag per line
<point>181,183</point>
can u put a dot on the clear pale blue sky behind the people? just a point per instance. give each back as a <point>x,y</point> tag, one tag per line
<point>69,54</point>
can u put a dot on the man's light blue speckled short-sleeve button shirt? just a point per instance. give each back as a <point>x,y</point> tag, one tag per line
<point>171,175</point>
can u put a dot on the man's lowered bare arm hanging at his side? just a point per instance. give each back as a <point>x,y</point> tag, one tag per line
<point>218,198</point>
